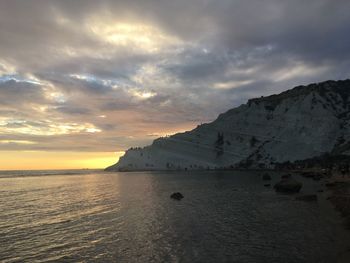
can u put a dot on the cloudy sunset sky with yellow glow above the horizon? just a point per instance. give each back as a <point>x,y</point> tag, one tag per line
<point>81,81</point>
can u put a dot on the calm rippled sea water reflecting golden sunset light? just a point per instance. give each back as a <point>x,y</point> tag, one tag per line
<point>91,216</point>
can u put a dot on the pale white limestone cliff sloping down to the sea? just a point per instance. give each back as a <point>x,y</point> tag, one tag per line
<point>300,123</point>
